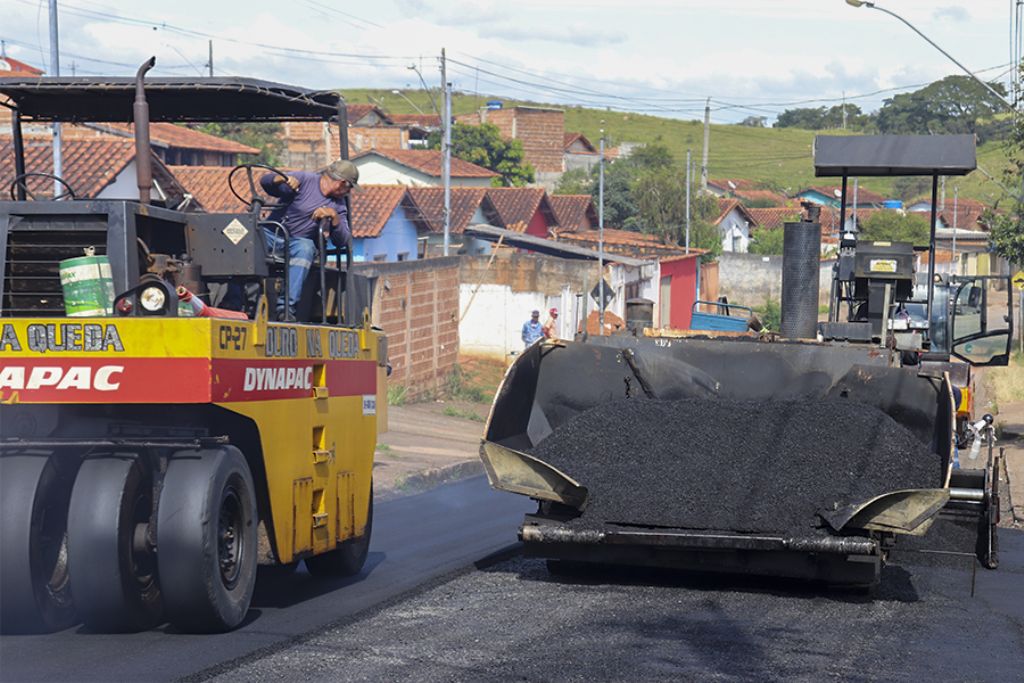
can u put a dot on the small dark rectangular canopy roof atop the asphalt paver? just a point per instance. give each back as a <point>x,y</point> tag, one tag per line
<point>894,155</point>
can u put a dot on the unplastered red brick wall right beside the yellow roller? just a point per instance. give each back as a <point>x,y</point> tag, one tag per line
<point>417,306</point>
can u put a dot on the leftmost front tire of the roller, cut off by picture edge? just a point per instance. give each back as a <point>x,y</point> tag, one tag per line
<point>28,605</point>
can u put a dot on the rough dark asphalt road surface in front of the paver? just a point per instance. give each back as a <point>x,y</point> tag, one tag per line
<point>514,622</point>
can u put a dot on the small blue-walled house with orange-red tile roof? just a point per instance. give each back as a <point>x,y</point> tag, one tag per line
<point>387,225</point>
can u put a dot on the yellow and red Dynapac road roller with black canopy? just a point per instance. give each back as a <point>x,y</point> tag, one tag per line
<point>154,451</point>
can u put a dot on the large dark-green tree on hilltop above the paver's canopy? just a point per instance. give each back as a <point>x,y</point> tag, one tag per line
<point>954,105</point>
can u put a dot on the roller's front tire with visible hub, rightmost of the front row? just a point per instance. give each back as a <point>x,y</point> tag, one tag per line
<point>196,596</point>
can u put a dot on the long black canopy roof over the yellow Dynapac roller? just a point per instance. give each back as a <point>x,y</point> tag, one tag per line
<point>176,100</point>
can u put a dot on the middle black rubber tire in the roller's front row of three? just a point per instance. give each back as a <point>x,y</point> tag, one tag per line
<point>101,533</point>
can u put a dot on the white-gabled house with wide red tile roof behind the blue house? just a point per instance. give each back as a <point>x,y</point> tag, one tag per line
<point>418,168</point>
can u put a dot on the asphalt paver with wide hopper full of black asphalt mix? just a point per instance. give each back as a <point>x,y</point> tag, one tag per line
<point>812,456</point>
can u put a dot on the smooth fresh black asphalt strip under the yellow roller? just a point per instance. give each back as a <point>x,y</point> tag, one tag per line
<point>416,539</point>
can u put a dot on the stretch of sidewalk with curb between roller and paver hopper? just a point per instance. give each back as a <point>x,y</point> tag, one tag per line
<point>424,448</point>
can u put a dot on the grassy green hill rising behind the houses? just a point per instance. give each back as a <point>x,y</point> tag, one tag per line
<point>779,158</point>
